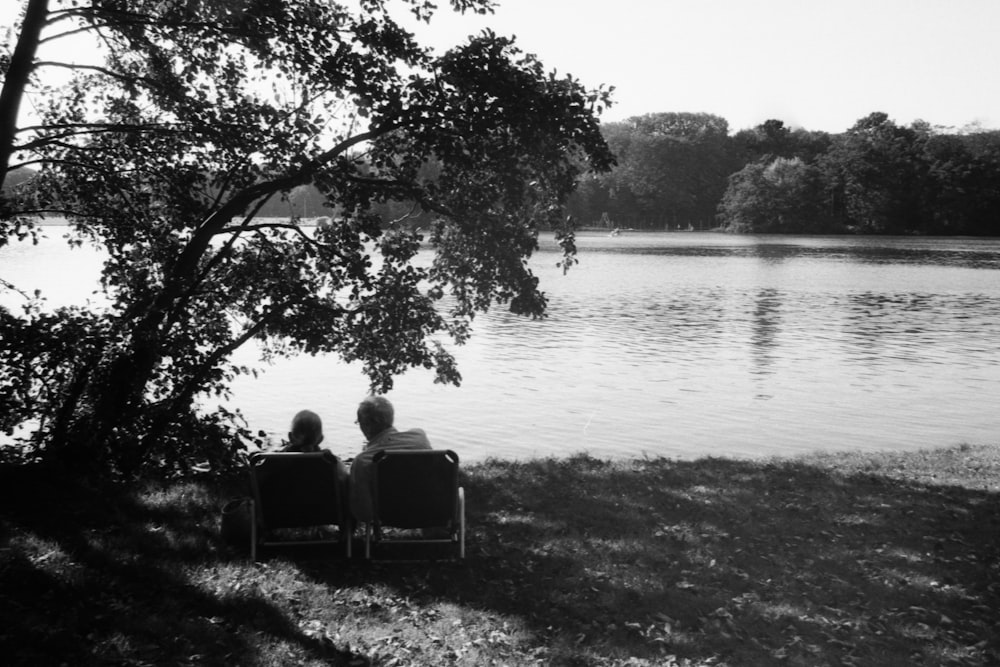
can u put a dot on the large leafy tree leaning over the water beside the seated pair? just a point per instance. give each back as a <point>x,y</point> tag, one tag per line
<point>202,113</point>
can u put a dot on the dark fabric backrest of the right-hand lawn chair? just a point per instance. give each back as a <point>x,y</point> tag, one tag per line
<point>415,488</point>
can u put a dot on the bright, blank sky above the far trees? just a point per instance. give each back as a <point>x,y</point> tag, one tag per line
<point>820,65</point>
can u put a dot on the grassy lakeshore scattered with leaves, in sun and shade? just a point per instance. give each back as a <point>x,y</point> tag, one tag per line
<point>836,559</point>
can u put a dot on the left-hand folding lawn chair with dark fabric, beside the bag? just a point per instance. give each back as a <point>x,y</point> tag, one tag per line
<point>297,490</point>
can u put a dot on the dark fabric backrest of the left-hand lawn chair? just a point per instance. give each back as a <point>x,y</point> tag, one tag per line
<point>294,489</point>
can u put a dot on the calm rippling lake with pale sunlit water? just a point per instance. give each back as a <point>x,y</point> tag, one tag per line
<point>680,345</point>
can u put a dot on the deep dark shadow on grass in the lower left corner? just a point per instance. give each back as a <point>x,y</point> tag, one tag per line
<point>109,578</point>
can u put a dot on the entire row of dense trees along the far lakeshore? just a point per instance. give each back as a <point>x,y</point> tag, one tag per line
<point>685,171</point>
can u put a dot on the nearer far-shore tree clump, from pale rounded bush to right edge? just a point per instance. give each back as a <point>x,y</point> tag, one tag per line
<point>876,177</point>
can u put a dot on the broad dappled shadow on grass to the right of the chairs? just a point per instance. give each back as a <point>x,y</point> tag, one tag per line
<point>746,562</point>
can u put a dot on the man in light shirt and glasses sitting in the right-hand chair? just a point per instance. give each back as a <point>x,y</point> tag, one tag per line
<point>375,417</point>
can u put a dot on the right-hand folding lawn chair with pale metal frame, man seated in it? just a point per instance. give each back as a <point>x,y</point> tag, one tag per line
<point>417,489</point>
